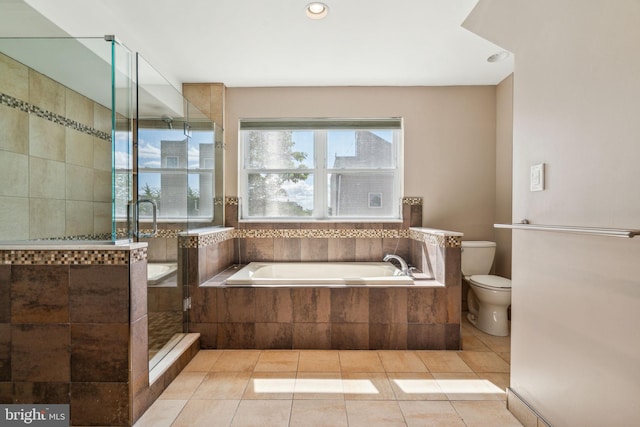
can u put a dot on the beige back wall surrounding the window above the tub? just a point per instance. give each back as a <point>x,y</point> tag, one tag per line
<point>449,141</point>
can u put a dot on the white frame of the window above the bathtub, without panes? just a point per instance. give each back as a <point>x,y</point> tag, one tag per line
<point>320,170</point>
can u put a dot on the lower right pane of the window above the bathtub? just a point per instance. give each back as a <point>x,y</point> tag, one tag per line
<point>366,194</point>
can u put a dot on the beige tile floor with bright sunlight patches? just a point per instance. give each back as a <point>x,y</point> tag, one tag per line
<point>334,388</point>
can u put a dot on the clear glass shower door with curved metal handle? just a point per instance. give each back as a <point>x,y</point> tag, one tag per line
<point>162,184</point>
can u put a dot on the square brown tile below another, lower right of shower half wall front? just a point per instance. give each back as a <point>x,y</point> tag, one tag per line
<point>100,352</point>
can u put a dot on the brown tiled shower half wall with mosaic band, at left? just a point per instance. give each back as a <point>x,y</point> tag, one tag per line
<point>73,330</point>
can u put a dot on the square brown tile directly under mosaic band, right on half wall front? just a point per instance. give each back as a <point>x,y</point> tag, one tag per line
<point>99,293</point>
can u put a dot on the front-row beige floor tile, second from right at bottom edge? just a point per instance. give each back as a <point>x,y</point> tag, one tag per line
<point>430,414</point>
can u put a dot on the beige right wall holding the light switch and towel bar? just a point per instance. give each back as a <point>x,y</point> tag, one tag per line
<point>576,298</point>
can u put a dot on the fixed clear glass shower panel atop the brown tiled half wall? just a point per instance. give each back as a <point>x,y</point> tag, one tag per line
<point>60,96</point>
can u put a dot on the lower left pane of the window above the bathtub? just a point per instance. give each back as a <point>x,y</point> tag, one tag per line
<point>280,194</point>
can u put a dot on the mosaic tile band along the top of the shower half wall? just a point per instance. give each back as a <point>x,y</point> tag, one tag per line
<point>71,257</point>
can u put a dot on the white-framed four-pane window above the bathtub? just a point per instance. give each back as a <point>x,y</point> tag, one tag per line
<point>320,169</point>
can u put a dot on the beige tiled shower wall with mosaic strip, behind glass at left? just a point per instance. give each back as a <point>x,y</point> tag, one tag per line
<point>55,165</point>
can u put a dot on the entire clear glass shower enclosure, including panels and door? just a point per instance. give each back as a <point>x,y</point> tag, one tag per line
<point>97,147</point>
